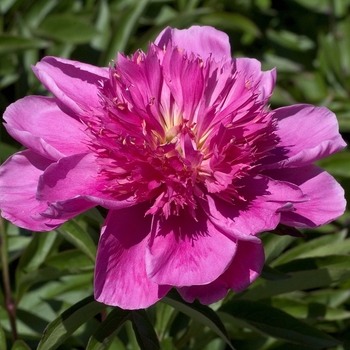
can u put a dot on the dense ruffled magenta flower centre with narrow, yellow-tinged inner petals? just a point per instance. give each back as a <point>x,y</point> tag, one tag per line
<point>170,133</point>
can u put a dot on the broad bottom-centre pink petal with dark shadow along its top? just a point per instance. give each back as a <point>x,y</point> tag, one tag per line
<point>187,252</point>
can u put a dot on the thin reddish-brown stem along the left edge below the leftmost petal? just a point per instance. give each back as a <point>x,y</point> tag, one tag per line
<point>9,303</point>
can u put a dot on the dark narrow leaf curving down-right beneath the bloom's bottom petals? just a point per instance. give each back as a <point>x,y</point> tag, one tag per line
<point>199,312</point>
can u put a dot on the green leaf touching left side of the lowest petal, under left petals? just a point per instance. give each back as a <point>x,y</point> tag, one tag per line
<point>76,235</point>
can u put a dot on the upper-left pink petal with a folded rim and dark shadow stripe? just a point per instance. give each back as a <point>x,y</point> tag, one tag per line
<point>73,83</point>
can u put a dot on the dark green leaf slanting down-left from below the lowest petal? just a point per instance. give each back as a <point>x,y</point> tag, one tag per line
<point>70,320</point>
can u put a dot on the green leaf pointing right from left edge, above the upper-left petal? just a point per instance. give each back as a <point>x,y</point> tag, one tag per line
<point>10,43</point>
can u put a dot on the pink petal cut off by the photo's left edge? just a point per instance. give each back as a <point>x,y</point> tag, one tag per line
<point>19,177</point>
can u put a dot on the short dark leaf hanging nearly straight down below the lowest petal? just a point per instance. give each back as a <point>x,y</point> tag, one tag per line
<point>144,331</point>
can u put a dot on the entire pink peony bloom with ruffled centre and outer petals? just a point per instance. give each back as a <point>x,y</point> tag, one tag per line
<point>180,146</point>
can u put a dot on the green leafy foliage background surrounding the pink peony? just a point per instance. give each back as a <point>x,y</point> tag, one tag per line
<point>301,301</point>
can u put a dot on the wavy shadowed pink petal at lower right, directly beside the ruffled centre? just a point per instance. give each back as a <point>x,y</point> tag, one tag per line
<point>264,197</point>
